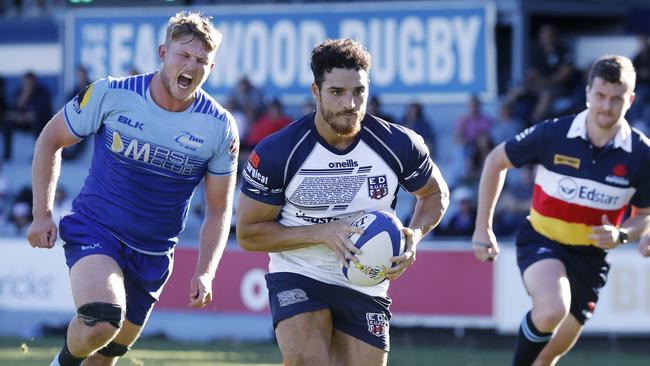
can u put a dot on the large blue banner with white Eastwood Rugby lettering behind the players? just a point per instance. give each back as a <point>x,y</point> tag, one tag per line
<point>432,51</point>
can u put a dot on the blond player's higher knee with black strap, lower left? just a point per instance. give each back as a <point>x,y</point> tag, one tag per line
<point>102,321</point>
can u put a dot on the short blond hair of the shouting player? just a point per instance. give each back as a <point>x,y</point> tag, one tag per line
<point>197,25</point>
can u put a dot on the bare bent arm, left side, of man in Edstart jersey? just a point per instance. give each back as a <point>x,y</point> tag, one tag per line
<point>493,177</point>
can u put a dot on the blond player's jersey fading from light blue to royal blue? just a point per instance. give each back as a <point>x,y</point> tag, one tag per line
<point>146,160</point>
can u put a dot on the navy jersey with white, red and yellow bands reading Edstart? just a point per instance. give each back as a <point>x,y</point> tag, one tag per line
<point>576,182</point>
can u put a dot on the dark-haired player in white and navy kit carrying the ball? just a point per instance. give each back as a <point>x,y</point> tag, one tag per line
<point>302,189</point>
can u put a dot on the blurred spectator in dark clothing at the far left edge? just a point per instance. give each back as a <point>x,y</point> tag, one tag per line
<point>31,111</point>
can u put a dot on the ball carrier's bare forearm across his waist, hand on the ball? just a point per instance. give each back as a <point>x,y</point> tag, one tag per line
<point>258,231</point>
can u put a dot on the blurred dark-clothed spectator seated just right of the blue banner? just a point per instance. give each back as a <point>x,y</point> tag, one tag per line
<point>551,75</point>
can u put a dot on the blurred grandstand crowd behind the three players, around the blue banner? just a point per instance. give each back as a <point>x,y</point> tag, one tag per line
<point>543,50</point>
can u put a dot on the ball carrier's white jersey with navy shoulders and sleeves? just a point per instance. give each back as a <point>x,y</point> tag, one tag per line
<point>315,183</point>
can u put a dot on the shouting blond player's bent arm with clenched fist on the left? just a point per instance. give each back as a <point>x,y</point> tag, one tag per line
<point>46,167</point>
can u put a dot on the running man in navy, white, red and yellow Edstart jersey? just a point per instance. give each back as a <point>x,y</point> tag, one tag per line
<point>591,169</point>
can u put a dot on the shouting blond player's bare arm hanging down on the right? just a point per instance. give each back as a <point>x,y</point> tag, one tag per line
<point>219,192</point>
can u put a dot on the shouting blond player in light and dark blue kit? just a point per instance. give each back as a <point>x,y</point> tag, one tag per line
<point>156,136</point>
